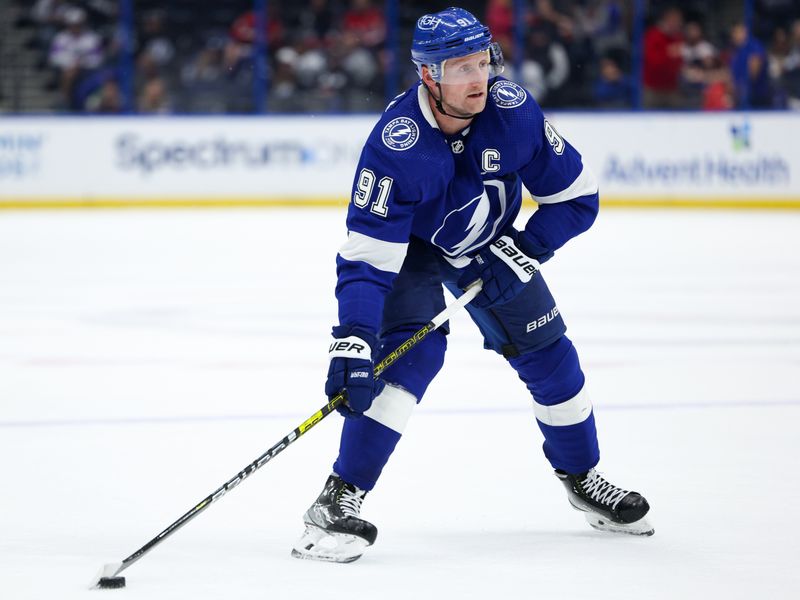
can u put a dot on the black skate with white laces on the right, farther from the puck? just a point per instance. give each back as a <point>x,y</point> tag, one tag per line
<point>606,507</point>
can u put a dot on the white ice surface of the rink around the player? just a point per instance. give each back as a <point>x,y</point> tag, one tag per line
<point>145,357</point>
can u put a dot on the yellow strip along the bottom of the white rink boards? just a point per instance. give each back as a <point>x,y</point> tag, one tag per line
<point>763,203</point>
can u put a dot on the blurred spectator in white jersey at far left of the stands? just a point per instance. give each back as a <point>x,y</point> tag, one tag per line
<point>74,52</point>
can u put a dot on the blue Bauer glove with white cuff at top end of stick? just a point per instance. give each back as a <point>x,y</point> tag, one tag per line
<point>504,270</point>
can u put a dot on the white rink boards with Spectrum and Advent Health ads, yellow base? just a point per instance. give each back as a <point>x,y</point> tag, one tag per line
<point>641,159</point>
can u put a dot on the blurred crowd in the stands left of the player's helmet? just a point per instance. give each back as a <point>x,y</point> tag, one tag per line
<point>203,56</point>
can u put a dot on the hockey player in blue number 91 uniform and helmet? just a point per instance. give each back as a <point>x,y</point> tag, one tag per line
<point>436,191</point>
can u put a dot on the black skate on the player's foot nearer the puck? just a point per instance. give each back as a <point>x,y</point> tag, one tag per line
<point>334,532</point>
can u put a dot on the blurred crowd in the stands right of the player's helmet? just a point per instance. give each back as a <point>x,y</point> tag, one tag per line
<point>695,54</point>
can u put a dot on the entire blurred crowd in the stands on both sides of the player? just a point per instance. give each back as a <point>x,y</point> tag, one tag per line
<point>334,56</point>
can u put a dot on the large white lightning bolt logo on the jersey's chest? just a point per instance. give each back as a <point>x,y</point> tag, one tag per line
<point>475,223</point>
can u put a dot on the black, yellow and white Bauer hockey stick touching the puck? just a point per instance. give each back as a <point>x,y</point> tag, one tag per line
<point>108,575</point>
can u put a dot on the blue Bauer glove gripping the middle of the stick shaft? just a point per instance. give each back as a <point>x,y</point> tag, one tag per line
<point>350,370</point>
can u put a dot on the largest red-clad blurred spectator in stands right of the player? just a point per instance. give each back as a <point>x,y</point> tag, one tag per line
<point>663,61</point>
